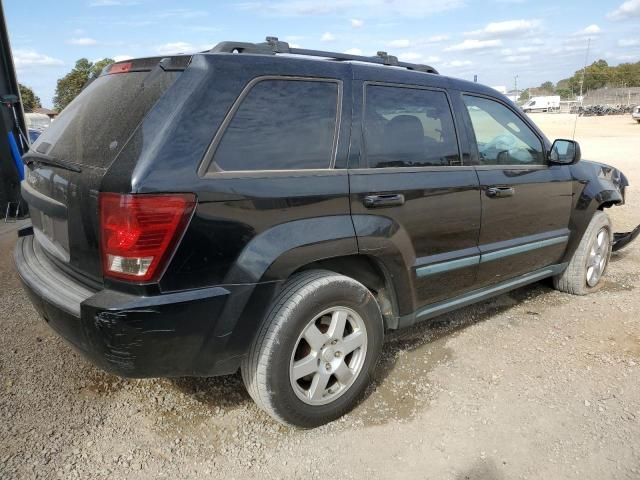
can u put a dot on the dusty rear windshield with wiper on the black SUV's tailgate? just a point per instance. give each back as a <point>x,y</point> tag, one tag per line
<point>96,125</point>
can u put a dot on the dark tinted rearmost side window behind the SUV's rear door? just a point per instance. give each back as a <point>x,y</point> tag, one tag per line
<point>281,124</point>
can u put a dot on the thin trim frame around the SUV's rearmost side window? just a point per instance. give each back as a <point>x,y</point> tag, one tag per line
<point>208,158</point>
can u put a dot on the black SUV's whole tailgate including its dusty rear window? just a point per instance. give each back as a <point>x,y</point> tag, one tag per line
<point>70,159</point>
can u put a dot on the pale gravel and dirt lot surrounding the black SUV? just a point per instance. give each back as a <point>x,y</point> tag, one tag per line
<point>532,384</point>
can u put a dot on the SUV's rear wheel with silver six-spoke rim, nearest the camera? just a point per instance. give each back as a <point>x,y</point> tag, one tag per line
<point>316,350</point>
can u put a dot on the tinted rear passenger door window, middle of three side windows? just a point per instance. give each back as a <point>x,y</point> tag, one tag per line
<point>407,127</point>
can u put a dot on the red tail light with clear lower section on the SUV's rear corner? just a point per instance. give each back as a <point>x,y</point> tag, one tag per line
<point>139,232</point>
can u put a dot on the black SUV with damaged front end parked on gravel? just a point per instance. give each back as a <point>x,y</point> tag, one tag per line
<point>244,209</point>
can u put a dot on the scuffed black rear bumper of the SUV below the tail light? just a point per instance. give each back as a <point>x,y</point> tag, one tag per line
<point>187,333</point>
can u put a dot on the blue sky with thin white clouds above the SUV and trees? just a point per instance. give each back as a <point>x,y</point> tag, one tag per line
<point>536,40</point>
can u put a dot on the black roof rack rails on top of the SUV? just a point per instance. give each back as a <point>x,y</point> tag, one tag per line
<point>273,46</point>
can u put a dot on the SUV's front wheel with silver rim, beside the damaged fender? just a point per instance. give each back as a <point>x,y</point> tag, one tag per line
<point>584,273</point>
